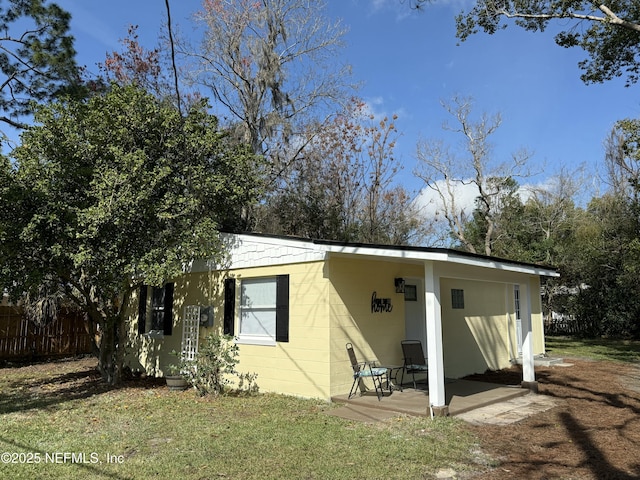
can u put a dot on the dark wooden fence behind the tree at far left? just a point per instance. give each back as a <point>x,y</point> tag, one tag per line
<point>21,339</point>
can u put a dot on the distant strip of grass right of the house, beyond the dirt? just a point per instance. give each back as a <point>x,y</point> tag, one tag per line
<point>595,349</point>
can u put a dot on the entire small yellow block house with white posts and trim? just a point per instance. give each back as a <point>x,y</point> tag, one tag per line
<point>293,304</point>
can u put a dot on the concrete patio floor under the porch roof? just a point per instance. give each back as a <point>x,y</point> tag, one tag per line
<point>461,396</point>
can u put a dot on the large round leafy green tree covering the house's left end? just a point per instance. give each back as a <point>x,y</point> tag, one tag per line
<point>103,203</point>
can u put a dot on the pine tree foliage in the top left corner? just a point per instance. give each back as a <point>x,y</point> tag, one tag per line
<point>36,56</point>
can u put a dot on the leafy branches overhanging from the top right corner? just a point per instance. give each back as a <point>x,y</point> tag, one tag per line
<point>608,31</point>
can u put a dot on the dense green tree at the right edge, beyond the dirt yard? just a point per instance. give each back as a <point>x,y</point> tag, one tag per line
<point>607,254</point>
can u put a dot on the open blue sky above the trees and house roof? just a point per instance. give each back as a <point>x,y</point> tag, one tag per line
<point>409,62</point>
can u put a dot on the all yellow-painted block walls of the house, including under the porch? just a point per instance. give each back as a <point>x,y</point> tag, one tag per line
<point>330,305</point>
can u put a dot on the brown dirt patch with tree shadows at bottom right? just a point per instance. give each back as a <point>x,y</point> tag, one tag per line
<point>594,433</point>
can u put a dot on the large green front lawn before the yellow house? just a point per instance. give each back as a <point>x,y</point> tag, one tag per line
<point>152,433</point>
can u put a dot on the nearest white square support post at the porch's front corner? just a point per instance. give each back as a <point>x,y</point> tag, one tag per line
<point>435,355</point>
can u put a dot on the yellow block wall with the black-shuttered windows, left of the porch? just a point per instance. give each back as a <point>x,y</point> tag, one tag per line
<point>298,367</point>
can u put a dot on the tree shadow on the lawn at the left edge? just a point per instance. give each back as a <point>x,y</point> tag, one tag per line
<point>37,391</point>
